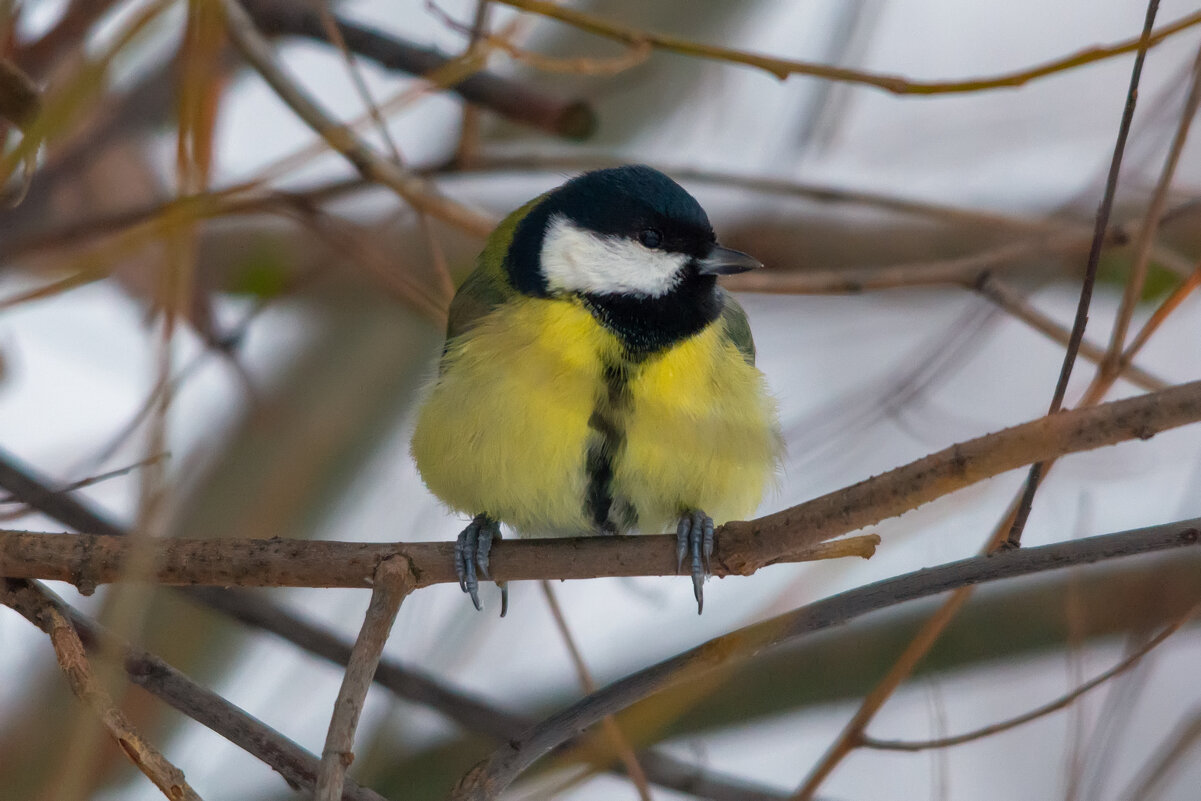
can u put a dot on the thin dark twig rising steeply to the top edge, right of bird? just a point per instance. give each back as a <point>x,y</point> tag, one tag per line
<point>1035,477</point>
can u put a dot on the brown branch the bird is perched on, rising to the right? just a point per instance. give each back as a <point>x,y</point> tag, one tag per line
<point>743,547</point>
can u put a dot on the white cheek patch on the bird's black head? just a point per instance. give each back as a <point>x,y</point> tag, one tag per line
<point>576,260</point>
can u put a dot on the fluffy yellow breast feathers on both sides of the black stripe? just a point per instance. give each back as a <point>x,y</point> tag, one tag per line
<point>506,428</point>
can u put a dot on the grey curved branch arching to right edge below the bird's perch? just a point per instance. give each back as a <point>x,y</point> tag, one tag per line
<point>491,778</point>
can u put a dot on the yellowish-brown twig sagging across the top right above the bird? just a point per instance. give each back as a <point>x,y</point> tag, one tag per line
<point>785,68</point>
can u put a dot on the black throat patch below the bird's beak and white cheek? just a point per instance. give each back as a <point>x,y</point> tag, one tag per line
<point>647,325</point>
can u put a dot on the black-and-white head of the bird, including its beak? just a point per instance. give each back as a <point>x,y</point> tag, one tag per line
<point>634,246</point>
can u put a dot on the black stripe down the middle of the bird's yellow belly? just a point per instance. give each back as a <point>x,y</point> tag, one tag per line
<point>605,445</point>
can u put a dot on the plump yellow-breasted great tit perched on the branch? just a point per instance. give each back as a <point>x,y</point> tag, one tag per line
<point>596,380</point>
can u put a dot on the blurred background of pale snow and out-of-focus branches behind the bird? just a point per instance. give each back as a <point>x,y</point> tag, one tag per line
<point>212,321</point>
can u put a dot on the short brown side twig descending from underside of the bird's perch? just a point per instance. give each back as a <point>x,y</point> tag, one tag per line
<point>391,585</point>
